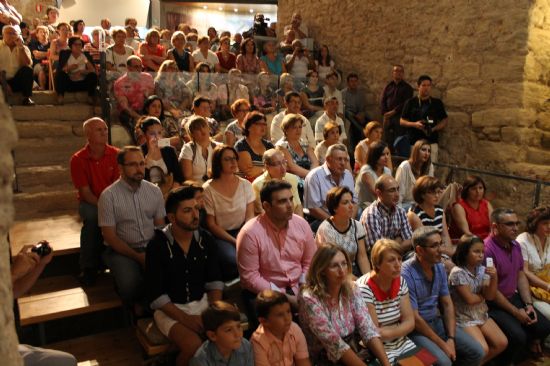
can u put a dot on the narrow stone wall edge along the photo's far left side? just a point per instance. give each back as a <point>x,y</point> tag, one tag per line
<point>8,137</point>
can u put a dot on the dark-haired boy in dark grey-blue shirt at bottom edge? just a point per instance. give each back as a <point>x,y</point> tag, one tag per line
<point>225,345</point>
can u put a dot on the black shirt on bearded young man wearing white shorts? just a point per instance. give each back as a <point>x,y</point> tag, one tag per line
<point>182,278</point>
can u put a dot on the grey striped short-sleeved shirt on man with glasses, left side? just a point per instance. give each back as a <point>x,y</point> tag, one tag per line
<point>131,213</point>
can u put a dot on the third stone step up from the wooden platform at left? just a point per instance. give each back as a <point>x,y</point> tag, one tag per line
<point>46,151</point>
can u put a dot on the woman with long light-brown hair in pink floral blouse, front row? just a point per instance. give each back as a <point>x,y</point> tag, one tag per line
<point>334,316</point>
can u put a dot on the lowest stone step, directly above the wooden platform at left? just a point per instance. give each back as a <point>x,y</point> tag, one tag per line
<point>44,204</point>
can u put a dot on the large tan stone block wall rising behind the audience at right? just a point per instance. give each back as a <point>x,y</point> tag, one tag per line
<point>488,59</point>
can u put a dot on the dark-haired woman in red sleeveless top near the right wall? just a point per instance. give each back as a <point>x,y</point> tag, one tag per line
<point>471,215</point>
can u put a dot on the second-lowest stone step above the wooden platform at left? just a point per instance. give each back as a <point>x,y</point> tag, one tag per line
<point>36,179</point>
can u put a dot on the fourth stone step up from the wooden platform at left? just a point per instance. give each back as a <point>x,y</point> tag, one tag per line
<point>50,129</point>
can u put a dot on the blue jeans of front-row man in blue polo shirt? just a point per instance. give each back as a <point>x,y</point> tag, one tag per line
<point>468,350</point>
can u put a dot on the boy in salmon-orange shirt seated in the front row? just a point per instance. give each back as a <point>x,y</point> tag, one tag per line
<point>278,340</point>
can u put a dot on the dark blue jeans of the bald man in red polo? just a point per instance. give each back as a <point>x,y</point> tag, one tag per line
<point>91,240</point>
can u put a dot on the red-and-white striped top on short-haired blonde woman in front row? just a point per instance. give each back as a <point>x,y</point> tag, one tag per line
<point>388,311</point>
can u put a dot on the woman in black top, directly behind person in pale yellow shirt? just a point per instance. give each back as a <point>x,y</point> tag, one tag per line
<point>252,146</point>
